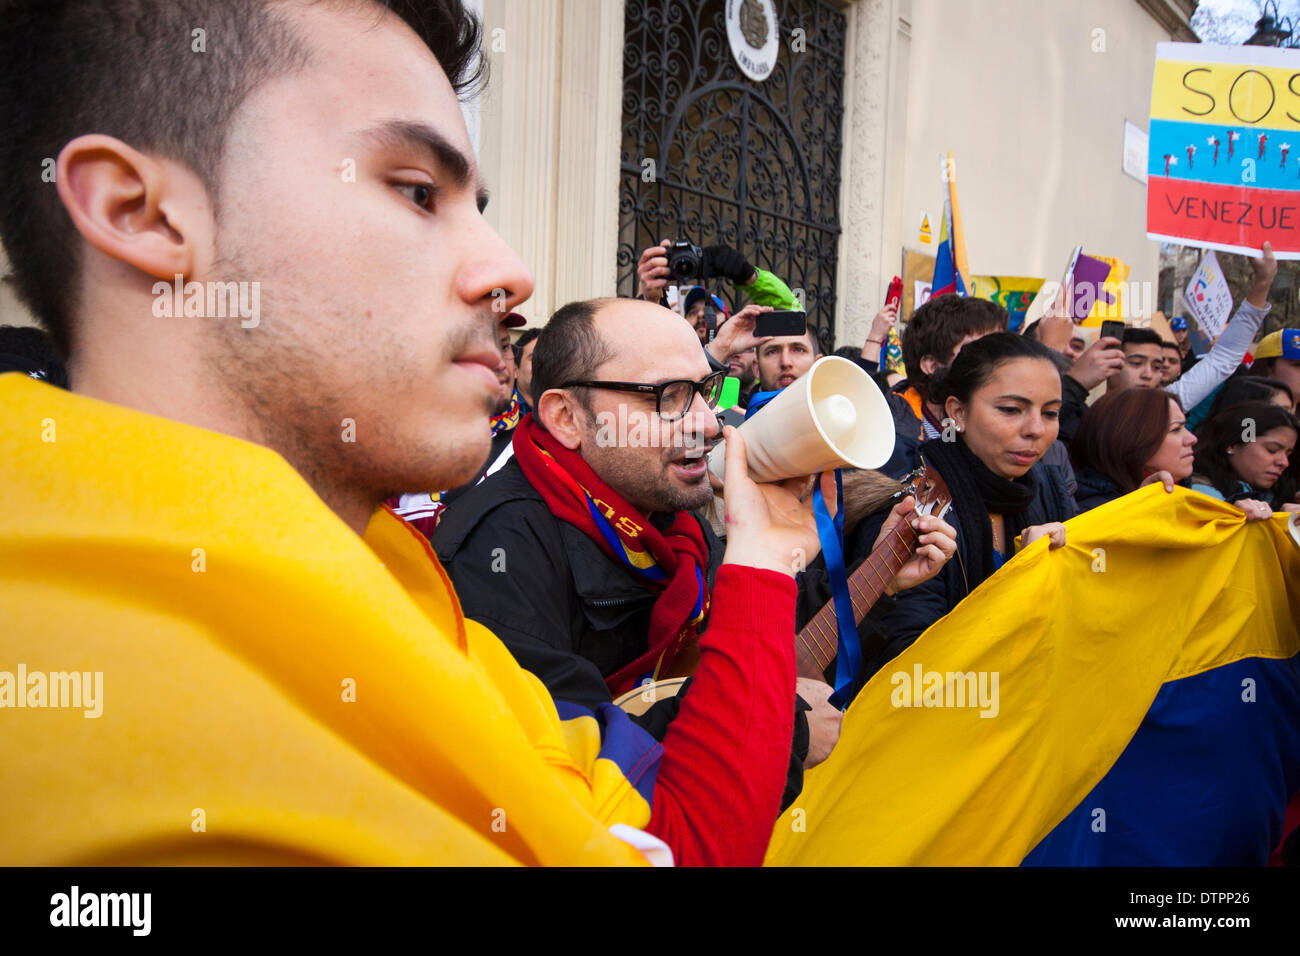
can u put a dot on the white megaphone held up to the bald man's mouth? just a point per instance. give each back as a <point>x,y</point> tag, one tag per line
<point>833,417</point>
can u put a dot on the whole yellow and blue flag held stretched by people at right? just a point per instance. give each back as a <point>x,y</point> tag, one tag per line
<point>1130,699</point>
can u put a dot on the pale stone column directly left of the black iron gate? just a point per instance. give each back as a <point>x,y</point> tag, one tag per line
<point>549,142</point>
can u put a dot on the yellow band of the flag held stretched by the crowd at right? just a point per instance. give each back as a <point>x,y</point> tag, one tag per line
<point>1150,589</point>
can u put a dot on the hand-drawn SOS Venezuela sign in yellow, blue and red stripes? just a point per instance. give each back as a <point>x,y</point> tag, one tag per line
<point>1223,168</point>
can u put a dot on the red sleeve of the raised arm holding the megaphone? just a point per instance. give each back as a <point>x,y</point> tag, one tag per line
<point>725,758</point>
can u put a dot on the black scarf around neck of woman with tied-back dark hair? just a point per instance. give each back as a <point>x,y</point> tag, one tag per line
<point>978,494</point>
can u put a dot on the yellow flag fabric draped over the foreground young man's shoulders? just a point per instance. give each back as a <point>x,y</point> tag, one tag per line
<point>272,690</point>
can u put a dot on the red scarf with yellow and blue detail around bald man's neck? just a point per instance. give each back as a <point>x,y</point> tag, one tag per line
<point>671,563</point>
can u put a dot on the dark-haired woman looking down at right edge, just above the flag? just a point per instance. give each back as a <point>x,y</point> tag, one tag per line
<point>1245,457</point>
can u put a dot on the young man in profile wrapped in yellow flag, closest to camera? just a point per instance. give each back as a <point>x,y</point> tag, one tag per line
<point>268,269</point>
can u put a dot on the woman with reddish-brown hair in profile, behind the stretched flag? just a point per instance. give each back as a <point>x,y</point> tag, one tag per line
<point>1128,440</point>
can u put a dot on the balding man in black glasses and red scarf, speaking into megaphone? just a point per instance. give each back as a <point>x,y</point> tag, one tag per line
<point>583,552</point>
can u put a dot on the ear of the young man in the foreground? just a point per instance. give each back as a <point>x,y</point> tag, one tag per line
<point>132,207</point>
